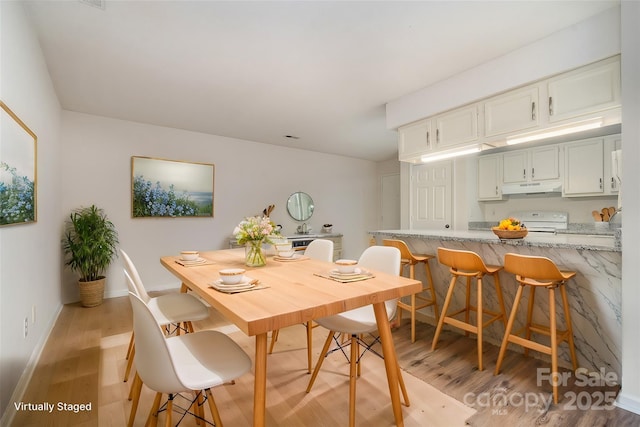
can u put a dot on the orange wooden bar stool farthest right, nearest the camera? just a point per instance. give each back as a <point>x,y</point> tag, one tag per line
<point>538,272</point>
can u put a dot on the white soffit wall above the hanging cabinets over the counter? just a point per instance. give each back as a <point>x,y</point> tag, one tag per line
<point>589,41</point>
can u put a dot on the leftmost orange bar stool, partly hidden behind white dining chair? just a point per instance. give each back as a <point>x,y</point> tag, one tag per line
<point>410,259</point>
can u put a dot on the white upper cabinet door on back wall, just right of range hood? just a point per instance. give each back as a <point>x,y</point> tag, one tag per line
<point>584,168</point>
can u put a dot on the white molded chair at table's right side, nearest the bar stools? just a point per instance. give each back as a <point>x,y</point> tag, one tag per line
<point>361,321</point>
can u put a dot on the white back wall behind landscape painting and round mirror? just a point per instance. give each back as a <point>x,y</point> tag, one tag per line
<point>96,156</point>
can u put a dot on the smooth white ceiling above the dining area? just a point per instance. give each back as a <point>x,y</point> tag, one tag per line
<point>318,70</point>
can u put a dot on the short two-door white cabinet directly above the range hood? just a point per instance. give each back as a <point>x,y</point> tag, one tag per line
<point>531,165</point>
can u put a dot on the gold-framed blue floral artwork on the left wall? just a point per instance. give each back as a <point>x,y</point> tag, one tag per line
<point>18,183</point>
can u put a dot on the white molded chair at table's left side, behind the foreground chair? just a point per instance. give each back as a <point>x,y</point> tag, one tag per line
<point>168,309</point>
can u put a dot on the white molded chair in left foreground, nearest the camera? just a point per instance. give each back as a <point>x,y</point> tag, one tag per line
<point>193,362</point>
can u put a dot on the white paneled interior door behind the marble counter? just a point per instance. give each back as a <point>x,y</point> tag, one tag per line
<point>431,189</point>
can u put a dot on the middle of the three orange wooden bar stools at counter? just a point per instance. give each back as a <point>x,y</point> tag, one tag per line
<point>468,264</point>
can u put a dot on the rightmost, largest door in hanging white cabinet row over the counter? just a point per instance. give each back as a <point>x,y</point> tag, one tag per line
<point>590,89</point>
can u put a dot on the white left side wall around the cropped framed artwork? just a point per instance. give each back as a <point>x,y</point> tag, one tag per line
<point>29,253</point>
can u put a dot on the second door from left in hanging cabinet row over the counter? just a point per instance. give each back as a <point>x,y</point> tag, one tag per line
<point>456,127</point>
